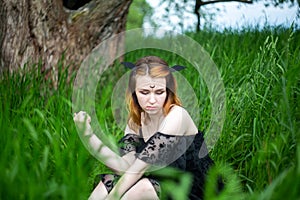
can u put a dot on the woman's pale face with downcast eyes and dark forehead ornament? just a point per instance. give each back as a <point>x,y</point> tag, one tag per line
<point>151,93</point>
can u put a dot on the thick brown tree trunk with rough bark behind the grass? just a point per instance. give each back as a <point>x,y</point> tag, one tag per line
<point>33,31</point>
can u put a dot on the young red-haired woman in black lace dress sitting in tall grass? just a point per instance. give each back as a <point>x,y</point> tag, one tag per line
<point>159,132</point>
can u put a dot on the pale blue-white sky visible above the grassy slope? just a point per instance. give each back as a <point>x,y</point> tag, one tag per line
<point>232,15</point>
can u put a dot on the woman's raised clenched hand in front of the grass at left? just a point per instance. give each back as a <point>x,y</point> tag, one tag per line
<point>83,122</point>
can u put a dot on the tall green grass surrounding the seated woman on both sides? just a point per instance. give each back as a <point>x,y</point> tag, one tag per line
<point>258,152</point>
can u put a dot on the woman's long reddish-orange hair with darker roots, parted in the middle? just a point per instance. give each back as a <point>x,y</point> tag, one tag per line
<point>154,67</point>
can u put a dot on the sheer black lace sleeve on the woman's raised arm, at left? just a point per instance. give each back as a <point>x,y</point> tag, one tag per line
<point>128,143</point>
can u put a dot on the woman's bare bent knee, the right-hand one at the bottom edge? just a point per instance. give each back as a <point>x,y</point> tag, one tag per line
<point>142,190</point>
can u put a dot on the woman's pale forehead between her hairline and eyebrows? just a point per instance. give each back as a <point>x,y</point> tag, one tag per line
<point>147,81</point>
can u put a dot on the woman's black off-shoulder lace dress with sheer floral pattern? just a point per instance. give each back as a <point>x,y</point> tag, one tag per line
<point>186,153</point>
